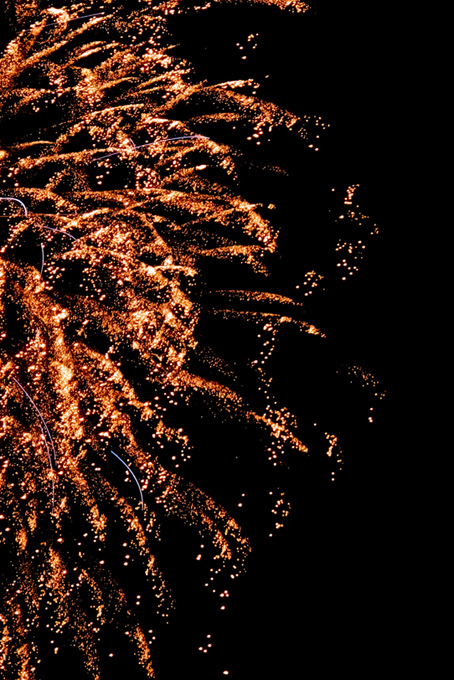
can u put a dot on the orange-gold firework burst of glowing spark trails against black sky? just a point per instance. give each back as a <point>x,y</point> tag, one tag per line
<point>115,189</point>
